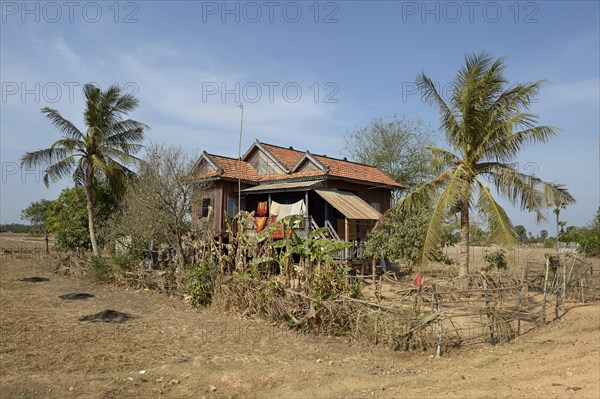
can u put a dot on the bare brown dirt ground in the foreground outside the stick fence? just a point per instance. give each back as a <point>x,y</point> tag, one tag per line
<point>46,352</point>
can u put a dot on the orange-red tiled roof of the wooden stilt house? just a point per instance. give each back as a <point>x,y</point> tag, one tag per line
<point>336,168</point>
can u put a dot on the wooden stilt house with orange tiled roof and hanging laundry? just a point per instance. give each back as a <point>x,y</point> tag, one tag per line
<point>345,197</point>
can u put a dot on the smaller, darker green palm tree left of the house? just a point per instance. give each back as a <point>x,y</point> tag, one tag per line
<point>103,152</point>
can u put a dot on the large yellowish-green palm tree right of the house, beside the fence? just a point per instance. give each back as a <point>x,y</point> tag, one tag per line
<point>486,123</point>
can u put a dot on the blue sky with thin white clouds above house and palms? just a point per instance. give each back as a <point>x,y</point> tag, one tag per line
<point>307,72</point>
